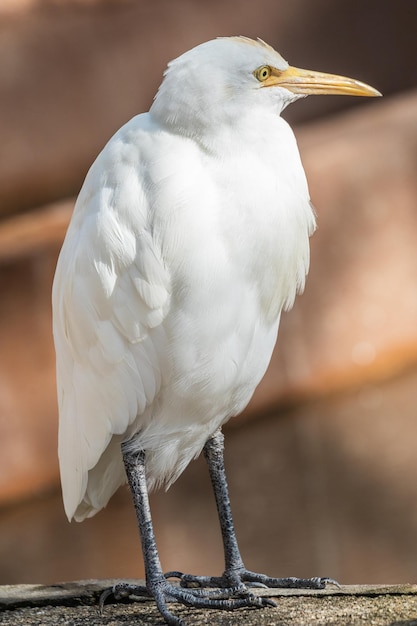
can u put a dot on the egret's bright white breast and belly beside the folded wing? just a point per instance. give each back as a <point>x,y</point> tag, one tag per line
<point>237,249</point>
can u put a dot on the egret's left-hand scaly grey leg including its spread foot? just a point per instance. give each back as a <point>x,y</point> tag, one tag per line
<point>157,585</point>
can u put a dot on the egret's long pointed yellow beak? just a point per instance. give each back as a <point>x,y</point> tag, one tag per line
<point>310,82</point>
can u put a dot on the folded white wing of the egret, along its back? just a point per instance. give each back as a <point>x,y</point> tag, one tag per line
<point>111,293</point>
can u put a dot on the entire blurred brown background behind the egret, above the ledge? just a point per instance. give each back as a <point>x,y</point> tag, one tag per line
<point>323,464</point>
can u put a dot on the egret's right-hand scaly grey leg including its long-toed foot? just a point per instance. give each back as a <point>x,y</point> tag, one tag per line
<point>235,574</point>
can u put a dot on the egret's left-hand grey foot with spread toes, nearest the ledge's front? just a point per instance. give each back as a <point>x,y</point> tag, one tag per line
<point>225,598</point>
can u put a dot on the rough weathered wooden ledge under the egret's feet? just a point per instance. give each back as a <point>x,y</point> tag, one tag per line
<point>76,603</point>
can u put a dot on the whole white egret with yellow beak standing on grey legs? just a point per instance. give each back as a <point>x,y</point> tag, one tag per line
<point>189,237</point>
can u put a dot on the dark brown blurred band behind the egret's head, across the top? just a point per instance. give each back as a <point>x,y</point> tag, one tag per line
<point>72,72</point>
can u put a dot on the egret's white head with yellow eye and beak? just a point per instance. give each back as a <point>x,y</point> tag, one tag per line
<point>217,81</point>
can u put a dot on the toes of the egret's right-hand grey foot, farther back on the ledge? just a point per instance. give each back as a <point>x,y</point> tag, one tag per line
<point>244,578</point>
